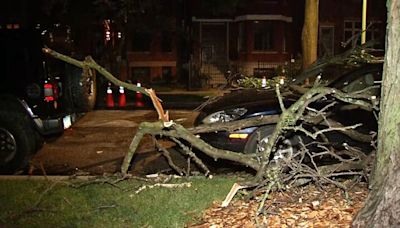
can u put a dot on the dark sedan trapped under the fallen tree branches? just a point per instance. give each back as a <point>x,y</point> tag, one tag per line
<point>247,103</point>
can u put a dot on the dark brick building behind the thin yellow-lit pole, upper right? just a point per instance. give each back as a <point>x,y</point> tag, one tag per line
<point>340,24</point>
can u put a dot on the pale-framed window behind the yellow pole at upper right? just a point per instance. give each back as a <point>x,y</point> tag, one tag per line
<point>352,32</point>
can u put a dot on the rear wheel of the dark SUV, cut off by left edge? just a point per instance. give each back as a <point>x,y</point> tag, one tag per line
<point>17,141</point>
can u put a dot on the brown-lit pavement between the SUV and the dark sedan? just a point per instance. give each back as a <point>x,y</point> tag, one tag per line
<point>97,143</point>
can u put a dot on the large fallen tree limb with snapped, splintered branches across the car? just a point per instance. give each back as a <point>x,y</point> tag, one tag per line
<point>275,167</point>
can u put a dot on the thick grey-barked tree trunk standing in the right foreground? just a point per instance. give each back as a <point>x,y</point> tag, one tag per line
<point>382,208</point>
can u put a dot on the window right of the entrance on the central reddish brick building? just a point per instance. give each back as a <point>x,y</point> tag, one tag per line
<point>263,36</point>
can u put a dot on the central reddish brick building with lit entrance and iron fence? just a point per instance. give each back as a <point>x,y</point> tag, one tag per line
<point>254,38</point>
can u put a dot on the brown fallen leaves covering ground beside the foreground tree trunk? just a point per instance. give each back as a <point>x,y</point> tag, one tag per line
<point>308,206</point>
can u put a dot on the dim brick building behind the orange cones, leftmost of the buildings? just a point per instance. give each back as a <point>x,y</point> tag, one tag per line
<point>152,45</point>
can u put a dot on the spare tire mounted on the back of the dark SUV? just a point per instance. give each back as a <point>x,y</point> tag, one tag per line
<point>79,90</point>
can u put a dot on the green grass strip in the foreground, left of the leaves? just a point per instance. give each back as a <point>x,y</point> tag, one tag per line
<point>28,203</point>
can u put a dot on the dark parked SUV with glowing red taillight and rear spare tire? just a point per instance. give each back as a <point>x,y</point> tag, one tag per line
<point>39,96</point>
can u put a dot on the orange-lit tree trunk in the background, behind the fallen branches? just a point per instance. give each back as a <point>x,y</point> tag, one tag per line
<point>310,33</point>
